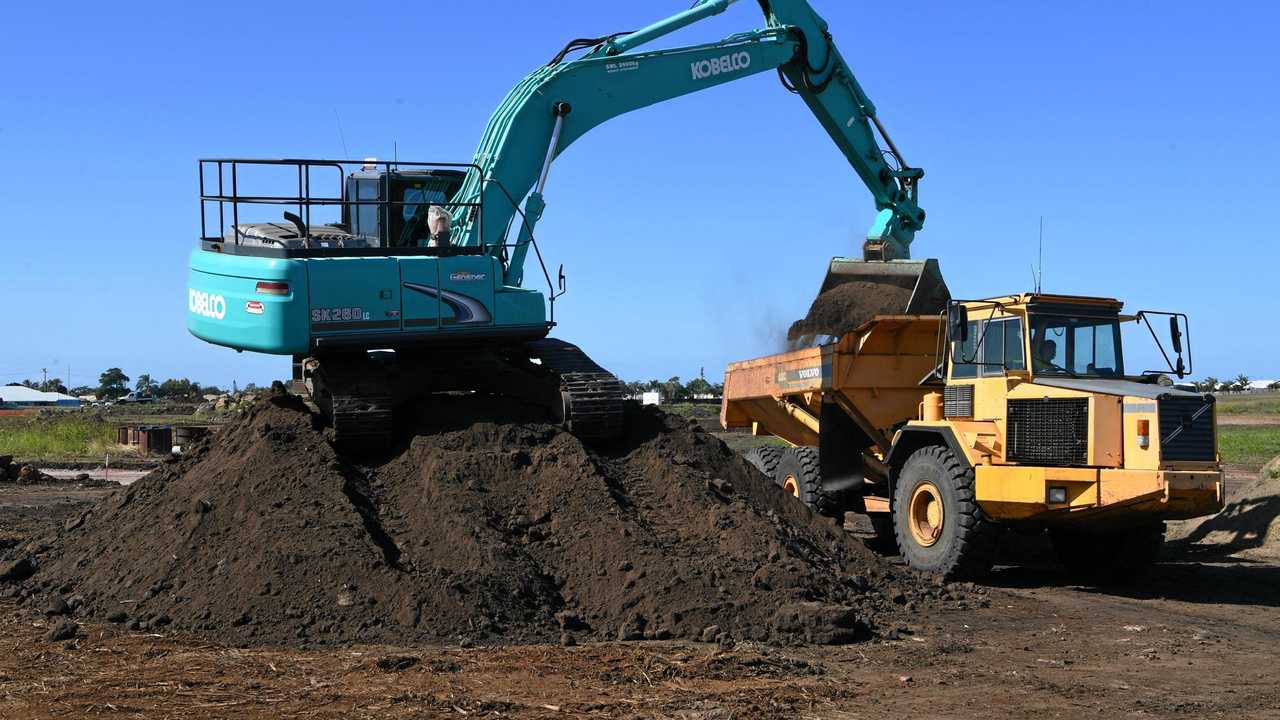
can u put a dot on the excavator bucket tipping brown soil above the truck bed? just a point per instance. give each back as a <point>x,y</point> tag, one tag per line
<point>856,291</point>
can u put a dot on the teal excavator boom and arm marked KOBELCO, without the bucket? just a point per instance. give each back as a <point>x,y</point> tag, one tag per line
<point>559,103</point>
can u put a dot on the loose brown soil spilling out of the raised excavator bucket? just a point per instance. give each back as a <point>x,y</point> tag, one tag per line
<point>851,304</point>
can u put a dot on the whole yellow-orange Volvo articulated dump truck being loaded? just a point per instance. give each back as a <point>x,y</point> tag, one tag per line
<point>1011,413</point>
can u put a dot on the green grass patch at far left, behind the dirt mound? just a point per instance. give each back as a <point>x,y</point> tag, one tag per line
<point>56,438</point>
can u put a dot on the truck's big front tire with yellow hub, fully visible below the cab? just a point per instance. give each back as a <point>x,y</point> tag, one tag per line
<point>938,522</point>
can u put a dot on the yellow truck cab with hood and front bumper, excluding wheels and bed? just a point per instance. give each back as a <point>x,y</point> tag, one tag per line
<point>1058,430</point>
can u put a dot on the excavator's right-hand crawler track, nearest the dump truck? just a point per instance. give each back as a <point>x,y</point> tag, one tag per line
<point>595,399</point>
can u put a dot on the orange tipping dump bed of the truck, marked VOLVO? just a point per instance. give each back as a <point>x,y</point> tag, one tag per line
<point>872,375</point>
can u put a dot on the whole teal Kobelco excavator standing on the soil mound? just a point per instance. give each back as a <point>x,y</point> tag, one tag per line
<point>417,286</point>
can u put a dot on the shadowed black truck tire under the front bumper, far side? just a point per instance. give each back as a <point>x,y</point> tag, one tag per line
<point>1110,557</point>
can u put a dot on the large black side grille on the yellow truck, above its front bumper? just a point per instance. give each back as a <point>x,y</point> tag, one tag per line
<point>1052,431</point>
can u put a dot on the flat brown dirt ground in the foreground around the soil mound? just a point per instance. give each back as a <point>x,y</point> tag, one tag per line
<point>1199,640</point>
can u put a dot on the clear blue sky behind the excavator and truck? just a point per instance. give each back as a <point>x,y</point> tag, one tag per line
<point>692,233</point>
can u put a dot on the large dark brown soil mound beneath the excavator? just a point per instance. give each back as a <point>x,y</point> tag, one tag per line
<point>486,527</point>
